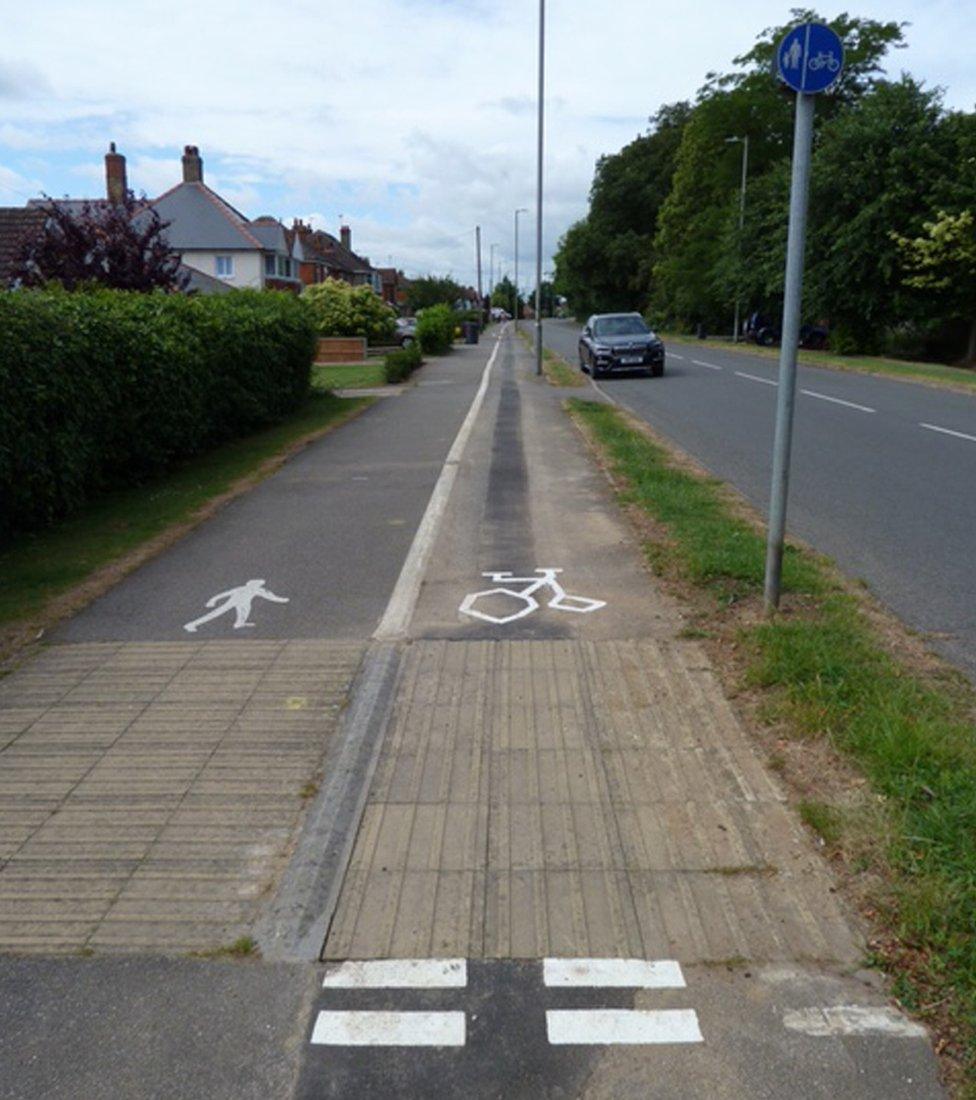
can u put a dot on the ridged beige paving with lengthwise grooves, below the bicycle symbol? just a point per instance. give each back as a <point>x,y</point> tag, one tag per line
<point>578,798</point>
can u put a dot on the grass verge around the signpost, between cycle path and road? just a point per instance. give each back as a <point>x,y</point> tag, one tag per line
<point>829,676</point>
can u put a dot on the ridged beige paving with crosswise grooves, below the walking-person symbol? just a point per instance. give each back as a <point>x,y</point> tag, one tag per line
<point>150,793</point>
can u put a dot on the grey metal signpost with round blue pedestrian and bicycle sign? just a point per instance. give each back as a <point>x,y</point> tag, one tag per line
<point>810,60</point>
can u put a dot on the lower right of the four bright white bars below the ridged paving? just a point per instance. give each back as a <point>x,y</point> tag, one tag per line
<point>624,1027</point>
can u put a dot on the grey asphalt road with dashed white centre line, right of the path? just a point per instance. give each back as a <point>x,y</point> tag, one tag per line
<point>884,472</point>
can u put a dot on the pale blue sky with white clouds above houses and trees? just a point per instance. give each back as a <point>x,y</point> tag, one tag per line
<point>413,122</point>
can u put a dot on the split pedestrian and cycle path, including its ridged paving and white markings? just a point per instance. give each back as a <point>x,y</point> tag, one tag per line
<point>414,721</point>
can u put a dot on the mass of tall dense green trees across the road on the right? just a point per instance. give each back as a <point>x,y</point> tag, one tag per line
<point>892,169</point>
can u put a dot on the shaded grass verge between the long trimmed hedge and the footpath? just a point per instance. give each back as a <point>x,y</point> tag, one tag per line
<point>52,574</point>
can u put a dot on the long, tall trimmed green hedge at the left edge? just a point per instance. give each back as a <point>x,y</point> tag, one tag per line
<point>103,389</point>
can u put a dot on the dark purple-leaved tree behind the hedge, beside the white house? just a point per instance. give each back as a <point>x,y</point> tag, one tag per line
<point>118,245</point>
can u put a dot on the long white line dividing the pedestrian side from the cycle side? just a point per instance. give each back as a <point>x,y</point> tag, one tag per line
<point>397,619</point>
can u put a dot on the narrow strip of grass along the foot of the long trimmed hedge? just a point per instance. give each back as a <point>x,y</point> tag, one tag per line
<point>37,568</point>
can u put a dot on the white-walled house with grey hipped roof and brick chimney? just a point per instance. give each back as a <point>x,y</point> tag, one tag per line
<point>214,238</point>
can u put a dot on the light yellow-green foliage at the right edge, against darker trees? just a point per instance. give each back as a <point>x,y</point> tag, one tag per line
<point>944,260</point>
